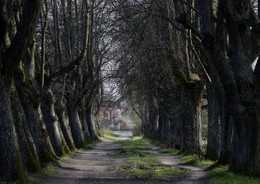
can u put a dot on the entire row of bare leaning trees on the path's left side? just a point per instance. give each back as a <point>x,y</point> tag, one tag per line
<point>50,61</point>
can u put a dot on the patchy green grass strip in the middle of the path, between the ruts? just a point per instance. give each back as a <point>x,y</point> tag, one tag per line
<point>142,164</point>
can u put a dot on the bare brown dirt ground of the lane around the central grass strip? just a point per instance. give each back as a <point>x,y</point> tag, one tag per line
<point>102,164</point>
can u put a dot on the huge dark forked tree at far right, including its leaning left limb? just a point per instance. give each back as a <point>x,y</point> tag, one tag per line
<point>237,80</point>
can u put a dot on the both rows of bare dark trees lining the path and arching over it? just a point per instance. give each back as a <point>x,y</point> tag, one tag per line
<point>181,64</point>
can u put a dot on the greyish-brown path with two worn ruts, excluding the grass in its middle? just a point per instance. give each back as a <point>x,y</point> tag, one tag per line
<point>97,166</point>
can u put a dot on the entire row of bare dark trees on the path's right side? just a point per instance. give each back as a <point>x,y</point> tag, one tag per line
<point>187,64</point>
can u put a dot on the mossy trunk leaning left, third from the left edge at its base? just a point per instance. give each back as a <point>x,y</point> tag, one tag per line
<point>33,114</point>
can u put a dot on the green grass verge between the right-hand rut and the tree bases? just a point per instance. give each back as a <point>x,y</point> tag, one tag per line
<point>217,174</point>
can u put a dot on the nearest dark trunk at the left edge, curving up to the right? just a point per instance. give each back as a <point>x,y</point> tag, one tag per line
<point>11,54</point>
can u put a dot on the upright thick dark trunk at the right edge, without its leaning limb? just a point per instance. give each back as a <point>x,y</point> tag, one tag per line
<point>246,121</point>
